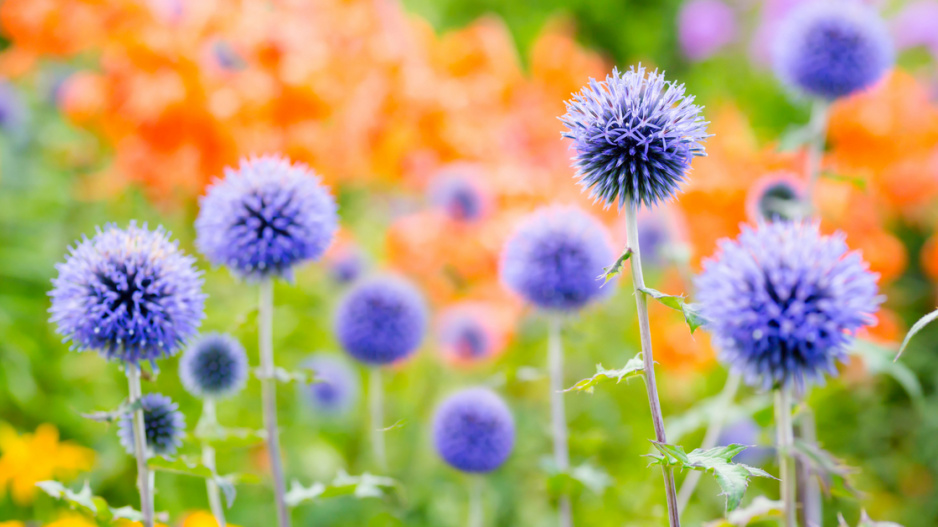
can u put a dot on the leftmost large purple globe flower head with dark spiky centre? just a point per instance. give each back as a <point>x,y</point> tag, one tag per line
<point>130,294</point>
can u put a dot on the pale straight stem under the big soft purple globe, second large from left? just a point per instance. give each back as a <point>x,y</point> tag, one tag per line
<point>269,397</point>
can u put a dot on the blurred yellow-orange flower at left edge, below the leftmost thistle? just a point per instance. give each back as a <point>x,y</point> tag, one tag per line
<point>30,458</point>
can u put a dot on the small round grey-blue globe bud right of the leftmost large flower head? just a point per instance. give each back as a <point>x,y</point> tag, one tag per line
<point>214,366</point>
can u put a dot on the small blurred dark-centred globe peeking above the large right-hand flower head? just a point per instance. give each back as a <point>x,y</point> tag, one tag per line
<point>776,197</point>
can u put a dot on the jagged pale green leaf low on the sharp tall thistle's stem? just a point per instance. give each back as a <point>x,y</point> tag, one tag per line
<point>733,478</point>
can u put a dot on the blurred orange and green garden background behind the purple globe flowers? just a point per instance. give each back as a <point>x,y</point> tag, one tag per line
<point>112,110</point>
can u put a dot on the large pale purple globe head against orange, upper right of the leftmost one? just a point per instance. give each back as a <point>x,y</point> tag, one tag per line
<point>266,217</point>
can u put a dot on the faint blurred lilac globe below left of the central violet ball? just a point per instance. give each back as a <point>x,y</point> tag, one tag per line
<point>337,385</point>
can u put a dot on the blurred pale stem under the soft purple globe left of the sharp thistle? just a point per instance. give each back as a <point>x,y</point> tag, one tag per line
<point>557,412</point>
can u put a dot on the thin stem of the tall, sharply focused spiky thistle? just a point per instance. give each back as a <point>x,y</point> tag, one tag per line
<point>638,282</point>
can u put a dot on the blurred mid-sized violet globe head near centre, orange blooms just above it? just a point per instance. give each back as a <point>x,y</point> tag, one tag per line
<point>381,320</point>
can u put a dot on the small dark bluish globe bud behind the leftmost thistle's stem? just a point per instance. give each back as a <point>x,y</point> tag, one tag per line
<point>164,425</point>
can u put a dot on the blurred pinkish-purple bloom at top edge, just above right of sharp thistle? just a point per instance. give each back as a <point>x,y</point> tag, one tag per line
<point>705,26</point>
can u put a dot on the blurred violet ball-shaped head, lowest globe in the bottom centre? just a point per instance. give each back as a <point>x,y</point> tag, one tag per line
<point>473,430</point>
